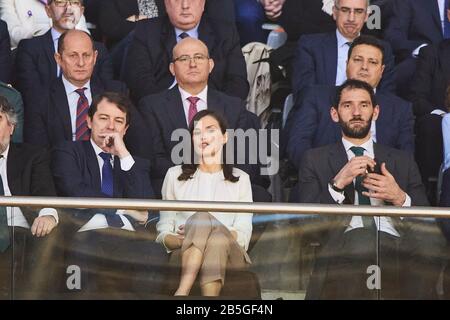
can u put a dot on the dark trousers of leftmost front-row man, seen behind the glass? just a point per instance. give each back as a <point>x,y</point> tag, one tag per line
<point>31,268</point>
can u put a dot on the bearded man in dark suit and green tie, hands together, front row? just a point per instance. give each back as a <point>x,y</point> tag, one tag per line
<point>358,171</point>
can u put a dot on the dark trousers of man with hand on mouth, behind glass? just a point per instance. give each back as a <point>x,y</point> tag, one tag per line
<point>116,263</point>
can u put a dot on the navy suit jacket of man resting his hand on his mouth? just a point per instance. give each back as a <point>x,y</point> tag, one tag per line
<point>77,174</point>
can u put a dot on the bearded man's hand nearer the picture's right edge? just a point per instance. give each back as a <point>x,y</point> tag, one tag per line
<point>384,187</point>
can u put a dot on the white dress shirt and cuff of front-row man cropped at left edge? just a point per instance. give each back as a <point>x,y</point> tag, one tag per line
<point>14,214</point>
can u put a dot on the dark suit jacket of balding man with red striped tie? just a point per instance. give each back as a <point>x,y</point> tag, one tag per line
<point>48,122</point>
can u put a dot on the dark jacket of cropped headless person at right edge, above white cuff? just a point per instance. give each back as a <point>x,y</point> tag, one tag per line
<point>431,79</point>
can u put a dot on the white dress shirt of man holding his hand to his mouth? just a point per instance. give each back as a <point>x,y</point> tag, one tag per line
<point>98,221</point>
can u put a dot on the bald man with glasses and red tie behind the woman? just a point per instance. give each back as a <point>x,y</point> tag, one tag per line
<point>173,109</point>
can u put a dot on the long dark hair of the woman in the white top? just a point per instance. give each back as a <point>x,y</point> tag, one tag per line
<point>190,168</point>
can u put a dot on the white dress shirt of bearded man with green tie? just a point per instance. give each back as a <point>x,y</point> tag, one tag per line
<point>383,223</point>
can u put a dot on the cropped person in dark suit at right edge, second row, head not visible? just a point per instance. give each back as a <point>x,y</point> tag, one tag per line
<point>428,92</point>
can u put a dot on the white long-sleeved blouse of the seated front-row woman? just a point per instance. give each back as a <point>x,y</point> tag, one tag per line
<point>206,187</point>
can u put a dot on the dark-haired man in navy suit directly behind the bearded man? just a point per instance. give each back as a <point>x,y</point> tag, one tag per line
<point>310,125</point>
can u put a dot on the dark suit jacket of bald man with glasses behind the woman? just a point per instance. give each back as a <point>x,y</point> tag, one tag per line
<point>163,113</point>
